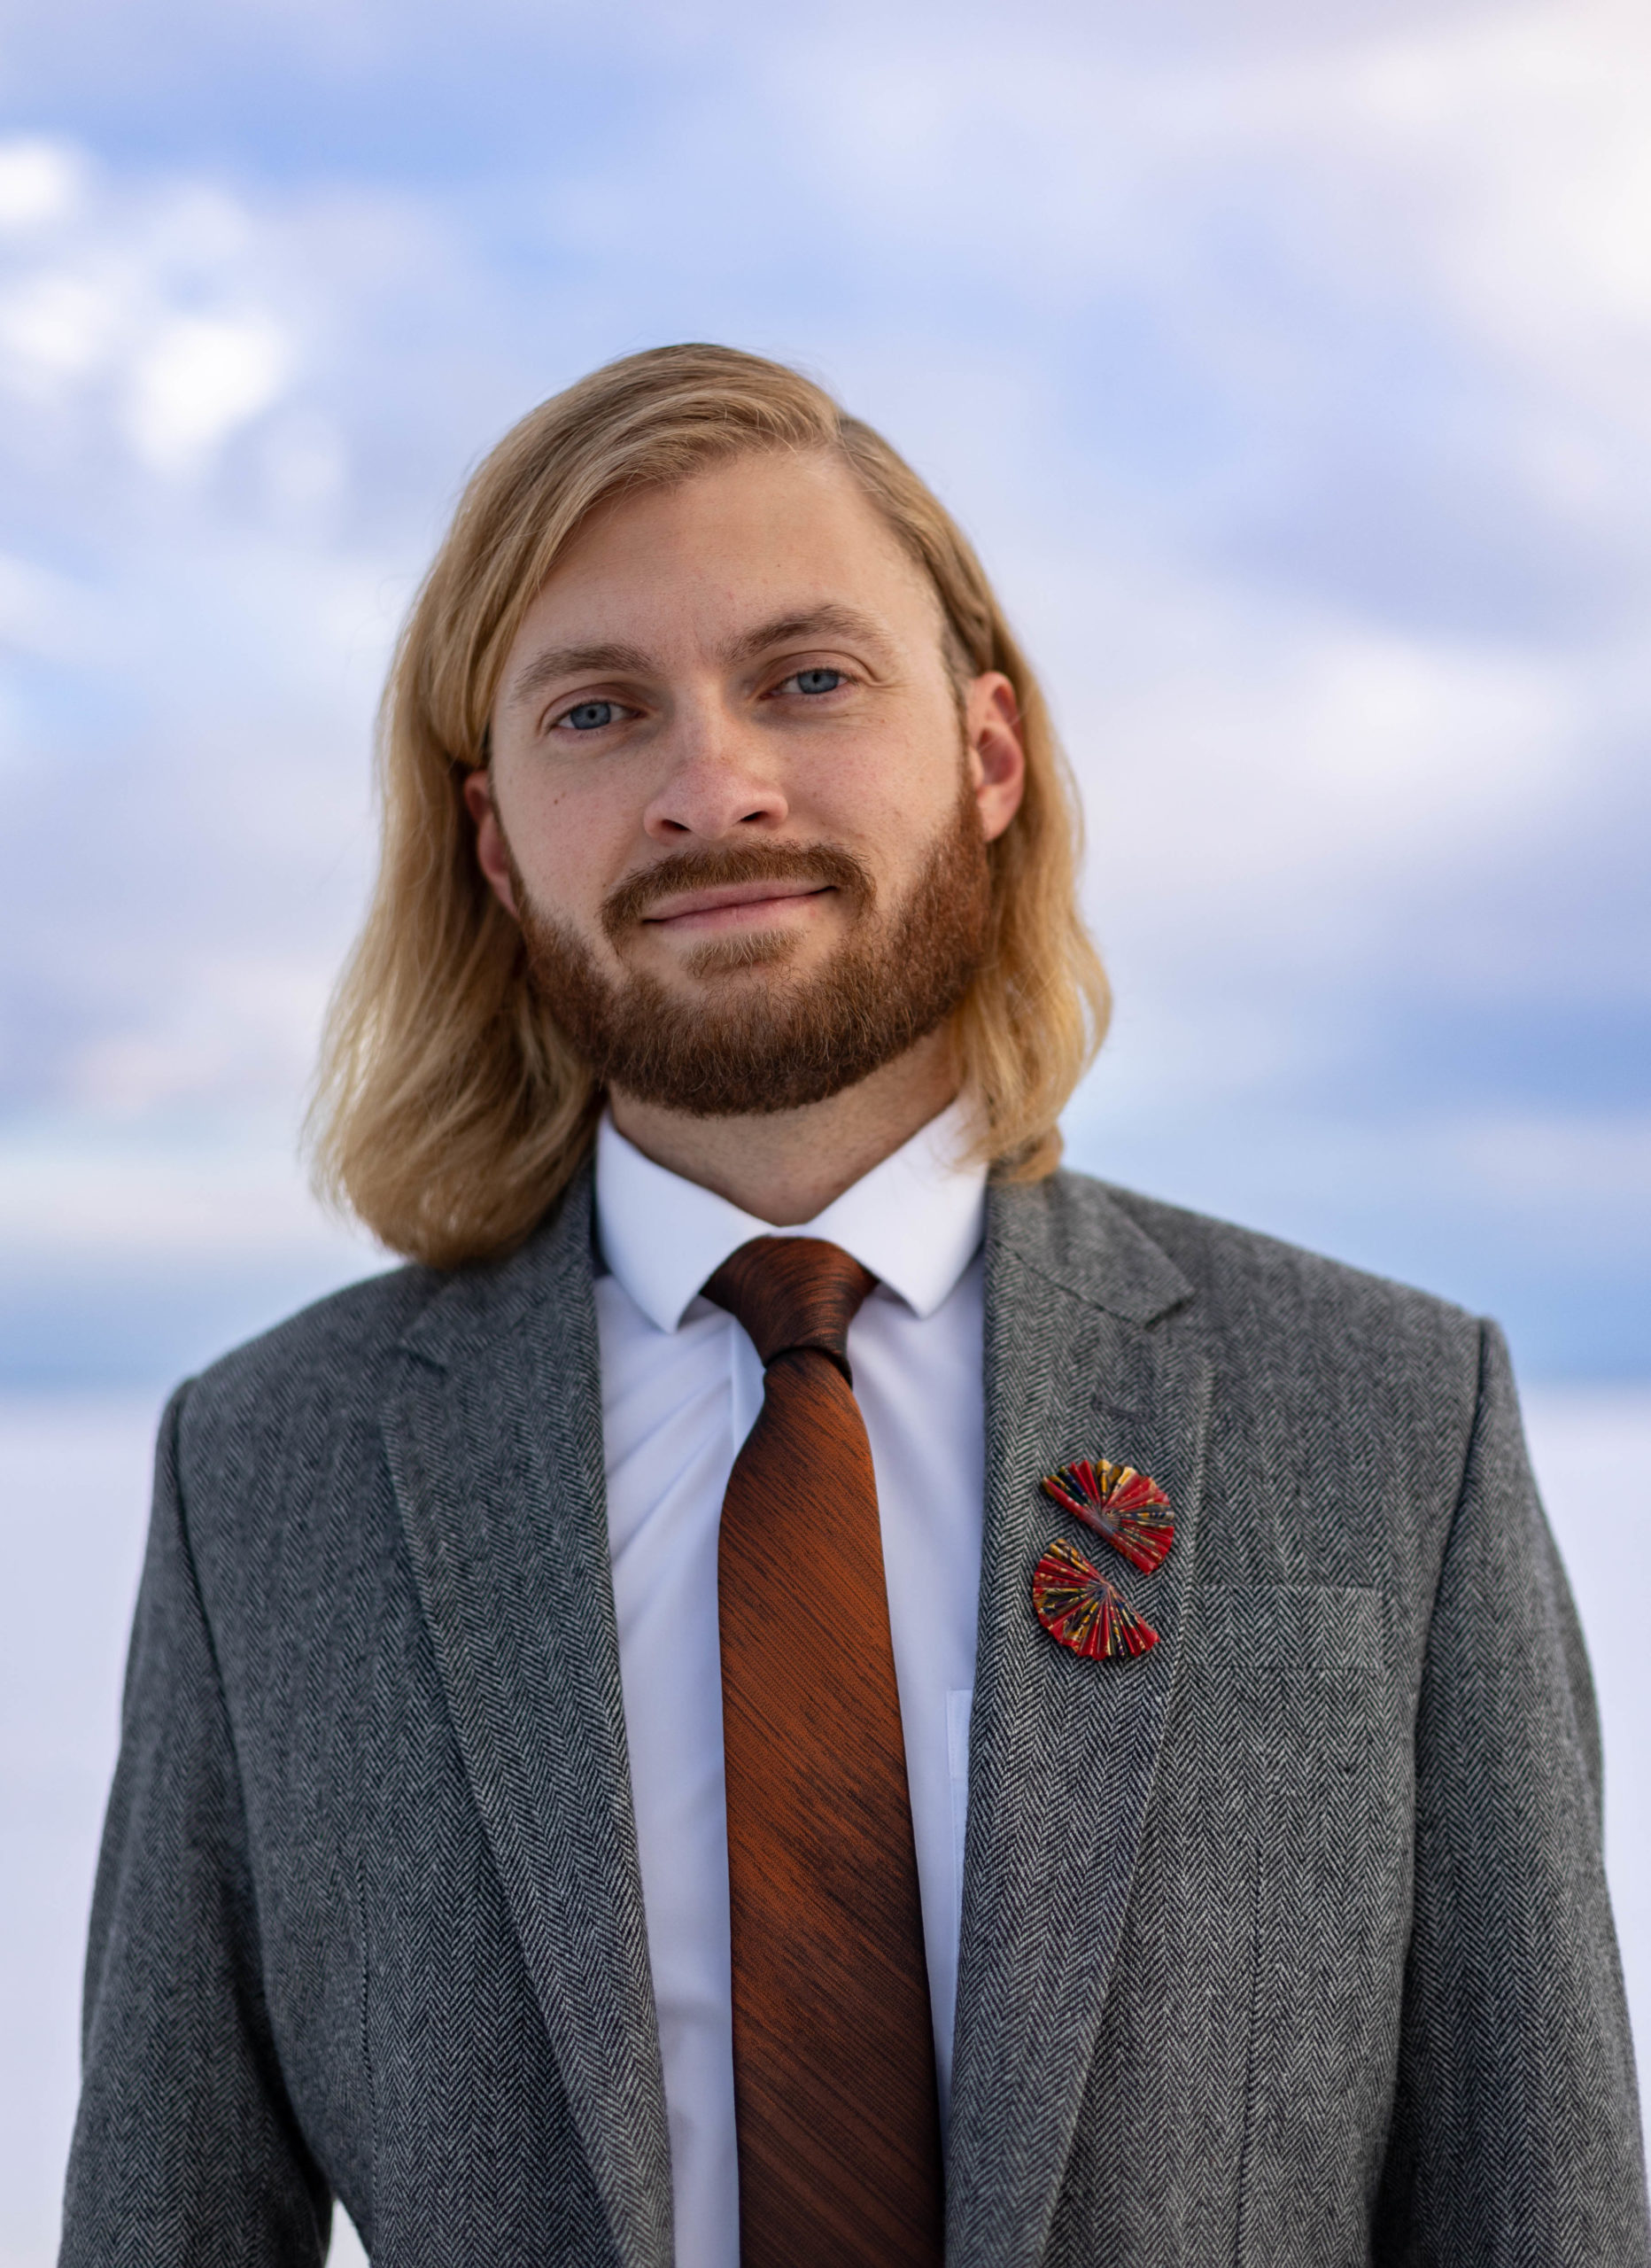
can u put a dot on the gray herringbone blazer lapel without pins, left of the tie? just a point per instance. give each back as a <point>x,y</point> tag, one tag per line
<point>498,1464</point>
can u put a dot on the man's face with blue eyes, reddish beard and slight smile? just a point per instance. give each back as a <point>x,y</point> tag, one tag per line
<point>731,797</point>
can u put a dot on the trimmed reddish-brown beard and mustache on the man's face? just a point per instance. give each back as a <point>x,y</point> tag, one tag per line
<point>752,1044</point>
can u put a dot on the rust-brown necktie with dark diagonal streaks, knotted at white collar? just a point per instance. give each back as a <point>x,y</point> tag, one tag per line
<point>840,2149</point>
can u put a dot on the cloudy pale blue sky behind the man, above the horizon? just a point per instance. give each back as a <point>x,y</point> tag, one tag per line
<point>1287,364</point>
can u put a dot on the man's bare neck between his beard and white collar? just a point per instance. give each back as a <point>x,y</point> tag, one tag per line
<point>786,1167</point>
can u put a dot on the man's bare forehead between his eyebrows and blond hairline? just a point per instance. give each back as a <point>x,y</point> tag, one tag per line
<point>752,539</point>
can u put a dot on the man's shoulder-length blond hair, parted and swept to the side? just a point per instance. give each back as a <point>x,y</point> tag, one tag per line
<point>450,1110</point>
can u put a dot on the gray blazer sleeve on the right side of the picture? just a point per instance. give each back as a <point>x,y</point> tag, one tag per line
<point>1516,2131</point>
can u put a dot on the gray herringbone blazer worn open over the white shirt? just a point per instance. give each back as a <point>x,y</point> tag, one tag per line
<point>1282,1945</point>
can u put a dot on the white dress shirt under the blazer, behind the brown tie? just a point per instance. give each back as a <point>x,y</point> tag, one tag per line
<point>681,1387</point>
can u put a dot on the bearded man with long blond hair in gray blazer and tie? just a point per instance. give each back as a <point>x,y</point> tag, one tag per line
<point>806,1689</point>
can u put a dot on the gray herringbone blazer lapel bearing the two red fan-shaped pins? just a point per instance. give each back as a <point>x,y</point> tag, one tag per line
<point>1081,1362</point>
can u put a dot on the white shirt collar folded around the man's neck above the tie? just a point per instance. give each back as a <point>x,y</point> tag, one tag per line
<point>915,1221</point>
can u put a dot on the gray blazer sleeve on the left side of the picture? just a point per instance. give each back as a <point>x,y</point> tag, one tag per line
<point>187,2151</point>
